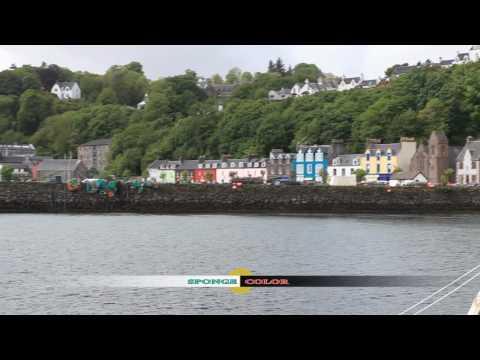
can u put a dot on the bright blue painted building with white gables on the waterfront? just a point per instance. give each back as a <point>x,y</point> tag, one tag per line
<point>311,161</point>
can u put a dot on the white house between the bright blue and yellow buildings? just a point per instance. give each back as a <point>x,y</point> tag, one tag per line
<point>342,171</point>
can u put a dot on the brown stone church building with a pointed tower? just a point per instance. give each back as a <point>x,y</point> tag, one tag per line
<point>433,158</point>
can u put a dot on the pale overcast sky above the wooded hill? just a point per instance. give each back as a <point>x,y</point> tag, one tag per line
<point>166,60</point>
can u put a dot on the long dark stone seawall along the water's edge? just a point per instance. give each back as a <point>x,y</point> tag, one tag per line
<point>36,197</point>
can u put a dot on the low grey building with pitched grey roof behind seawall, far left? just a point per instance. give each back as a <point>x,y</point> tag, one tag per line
<point>59,170</point>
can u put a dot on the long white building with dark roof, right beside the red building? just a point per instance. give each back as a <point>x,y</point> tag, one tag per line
<point>241,168</point>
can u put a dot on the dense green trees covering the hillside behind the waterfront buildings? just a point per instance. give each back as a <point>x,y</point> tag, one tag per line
<point>181,121</point>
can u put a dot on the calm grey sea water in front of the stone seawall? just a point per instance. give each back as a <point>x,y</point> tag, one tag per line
<point>37,252</point>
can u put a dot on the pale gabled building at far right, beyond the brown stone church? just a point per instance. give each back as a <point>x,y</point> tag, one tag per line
<point>468,163</point>
